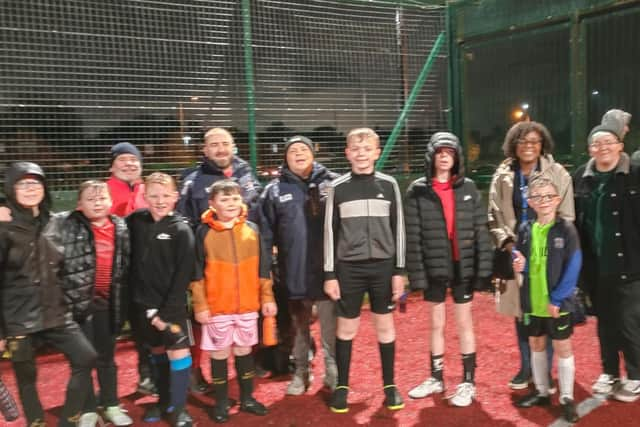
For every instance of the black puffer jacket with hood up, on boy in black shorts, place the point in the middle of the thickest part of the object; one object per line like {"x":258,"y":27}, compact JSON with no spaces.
{"x":429,"y":252}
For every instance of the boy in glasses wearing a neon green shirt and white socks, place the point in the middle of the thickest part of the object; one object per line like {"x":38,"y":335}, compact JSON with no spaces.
{"x":549,"y":258}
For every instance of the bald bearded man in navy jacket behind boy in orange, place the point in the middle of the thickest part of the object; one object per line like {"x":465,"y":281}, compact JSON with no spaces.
{"x":219,"y":162}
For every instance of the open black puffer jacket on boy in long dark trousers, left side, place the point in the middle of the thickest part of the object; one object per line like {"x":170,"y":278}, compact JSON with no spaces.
{"x":73,"y":233}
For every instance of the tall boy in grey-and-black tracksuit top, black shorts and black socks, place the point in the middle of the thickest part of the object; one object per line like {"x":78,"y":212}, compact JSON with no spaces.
{"x":364,"y":252}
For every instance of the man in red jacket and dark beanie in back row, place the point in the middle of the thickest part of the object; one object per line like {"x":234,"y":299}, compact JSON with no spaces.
{"x":125,"y":184}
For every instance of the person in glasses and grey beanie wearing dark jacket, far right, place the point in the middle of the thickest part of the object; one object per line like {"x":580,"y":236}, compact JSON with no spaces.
{"x":607,"y":217}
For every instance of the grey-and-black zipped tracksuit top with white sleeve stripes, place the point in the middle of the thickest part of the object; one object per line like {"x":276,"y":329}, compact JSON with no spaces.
{"x":363,"y":221}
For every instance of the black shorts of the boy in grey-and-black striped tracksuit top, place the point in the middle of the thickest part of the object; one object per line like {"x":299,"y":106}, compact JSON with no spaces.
{"x":356,"y":278}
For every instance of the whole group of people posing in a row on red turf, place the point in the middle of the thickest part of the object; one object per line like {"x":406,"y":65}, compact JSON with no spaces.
{"x":71,"y":279}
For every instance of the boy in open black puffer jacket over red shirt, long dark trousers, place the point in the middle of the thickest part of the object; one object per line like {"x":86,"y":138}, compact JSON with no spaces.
{"x":96,"y":265}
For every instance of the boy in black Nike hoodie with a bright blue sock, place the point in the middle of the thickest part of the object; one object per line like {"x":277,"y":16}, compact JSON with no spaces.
{"x":162,"y":264}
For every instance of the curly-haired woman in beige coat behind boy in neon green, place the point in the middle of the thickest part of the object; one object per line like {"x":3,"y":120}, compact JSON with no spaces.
{"x":527,"y":148}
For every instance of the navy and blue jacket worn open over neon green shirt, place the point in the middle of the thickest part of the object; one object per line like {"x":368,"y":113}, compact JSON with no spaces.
{"x":564,"y":260}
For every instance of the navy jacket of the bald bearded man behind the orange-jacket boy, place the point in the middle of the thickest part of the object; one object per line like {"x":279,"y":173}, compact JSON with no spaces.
{"x":194,"y":198}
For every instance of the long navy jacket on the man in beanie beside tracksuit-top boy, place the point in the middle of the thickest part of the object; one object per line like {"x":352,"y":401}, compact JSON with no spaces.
{"x":291,"y":213}
